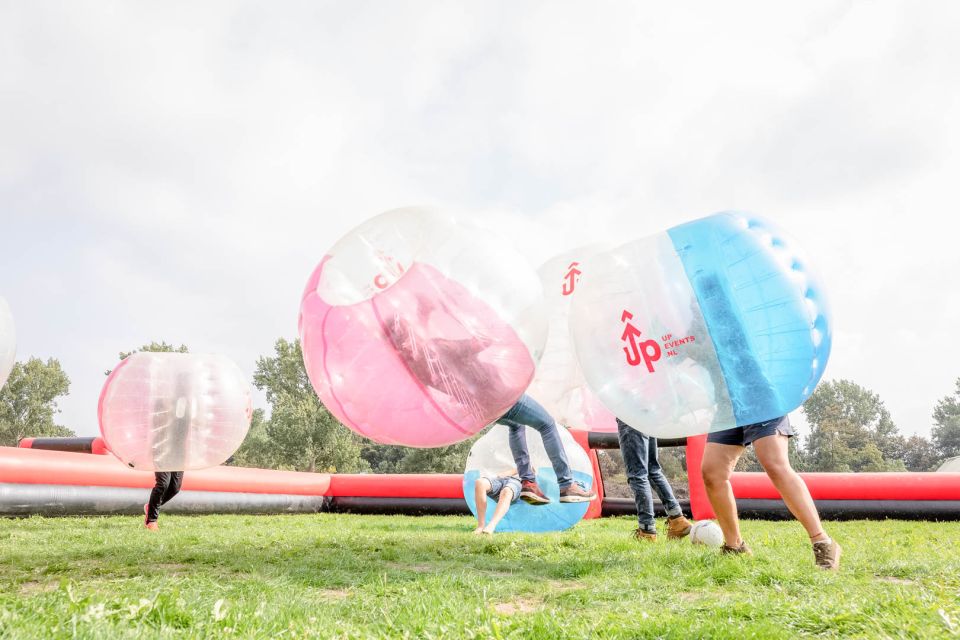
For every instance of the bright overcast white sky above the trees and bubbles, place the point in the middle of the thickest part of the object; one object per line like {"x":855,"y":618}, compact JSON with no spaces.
{"x":174,"y":171}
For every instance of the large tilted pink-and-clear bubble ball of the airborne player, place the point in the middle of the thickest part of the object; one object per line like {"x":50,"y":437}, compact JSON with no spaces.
{"x":419,"y":330}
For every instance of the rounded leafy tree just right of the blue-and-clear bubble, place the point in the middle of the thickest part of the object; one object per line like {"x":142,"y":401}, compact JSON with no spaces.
{"x":851,"y":430}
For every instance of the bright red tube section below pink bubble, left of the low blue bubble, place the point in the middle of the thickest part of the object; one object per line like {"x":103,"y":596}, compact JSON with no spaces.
{"x":427,"y":485}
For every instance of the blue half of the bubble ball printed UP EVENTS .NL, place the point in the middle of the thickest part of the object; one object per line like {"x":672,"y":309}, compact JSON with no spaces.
{"x":766,"y":312}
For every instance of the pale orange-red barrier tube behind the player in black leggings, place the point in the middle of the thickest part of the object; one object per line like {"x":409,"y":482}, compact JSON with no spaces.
{"x":35,"y":466}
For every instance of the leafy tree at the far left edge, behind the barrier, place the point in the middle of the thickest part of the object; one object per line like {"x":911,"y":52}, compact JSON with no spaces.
{"x":28,"y":402}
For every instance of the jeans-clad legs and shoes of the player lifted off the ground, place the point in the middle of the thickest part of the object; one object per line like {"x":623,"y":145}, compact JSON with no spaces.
{"x":527,"y":412}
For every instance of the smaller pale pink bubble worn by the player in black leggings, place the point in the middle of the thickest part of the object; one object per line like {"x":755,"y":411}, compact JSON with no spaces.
{"x":174,"y":411}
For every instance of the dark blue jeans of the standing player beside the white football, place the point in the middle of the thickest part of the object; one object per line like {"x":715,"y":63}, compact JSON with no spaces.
{"x":643,"y":469}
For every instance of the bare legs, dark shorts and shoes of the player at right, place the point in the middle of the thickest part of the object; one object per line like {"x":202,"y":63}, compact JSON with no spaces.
{"x":770,"y":441}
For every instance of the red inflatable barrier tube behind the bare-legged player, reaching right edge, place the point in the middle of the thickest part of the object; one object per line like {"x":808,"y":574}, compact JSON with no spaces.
{"x":856,"y":486}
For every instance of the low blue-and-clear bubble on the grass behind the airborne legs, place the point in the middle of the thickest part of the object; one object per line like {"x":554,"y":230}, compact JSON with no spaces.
{"x":490,"y":456}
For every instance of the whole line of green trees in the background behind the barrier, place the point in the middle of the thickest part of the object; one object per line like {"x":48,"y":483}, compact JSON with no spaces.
{"x":850,"y":428}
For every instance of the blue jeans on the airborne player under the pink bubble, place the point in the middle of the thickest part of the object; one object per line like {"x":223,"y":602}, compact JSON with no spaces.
{"x":527,"y":412}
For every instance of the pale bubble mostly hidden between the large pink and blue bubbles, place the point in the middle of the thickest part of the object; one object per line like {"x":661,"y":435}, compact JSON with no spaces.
{"x":559,"y":384}
